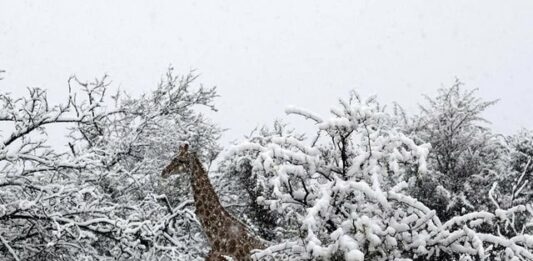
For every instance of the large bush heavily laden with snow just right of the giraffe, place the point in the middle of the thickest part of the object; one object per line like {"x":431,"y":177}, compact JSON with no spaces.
{"x":346,"y":189}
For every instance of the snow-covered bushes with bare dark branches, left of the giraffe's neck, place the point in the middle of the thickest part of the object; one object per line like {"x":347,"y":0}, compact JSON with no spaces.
{"x":101,"y":197}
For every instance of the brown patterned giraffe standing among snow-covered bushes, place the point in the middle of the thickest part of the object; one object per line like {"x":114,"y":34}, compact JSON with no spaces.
{"x":225,"y":234}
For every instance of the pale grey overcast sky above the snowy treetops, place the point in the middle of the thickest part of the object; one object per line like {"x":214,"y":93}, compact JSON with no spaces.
{"x":265,"y":55}
